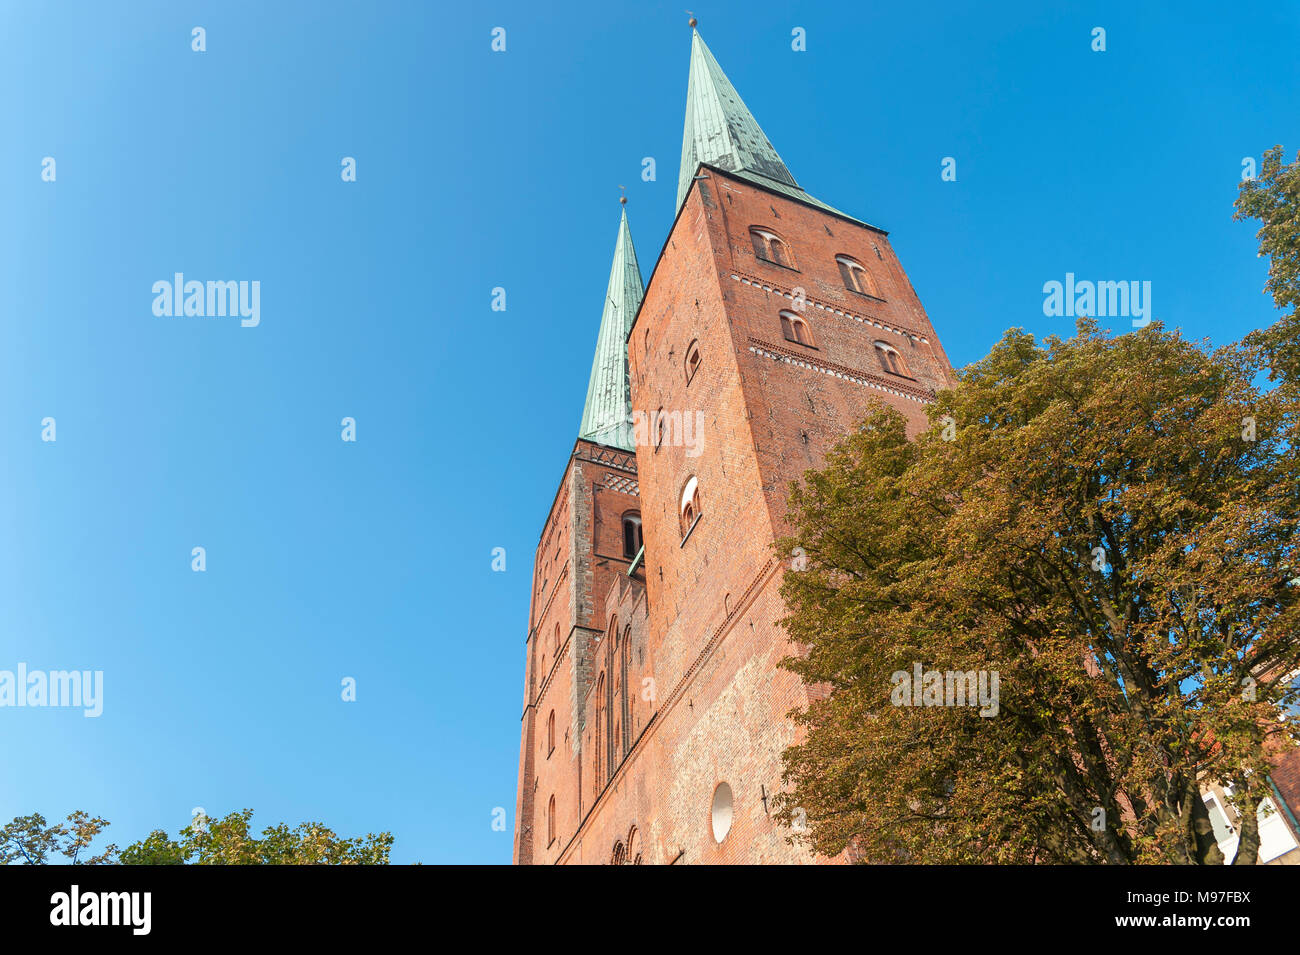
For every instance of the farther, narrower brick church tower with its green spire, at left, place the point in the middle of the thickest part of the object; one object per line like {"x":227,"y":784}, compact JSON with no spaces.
{"x":590,"y":544}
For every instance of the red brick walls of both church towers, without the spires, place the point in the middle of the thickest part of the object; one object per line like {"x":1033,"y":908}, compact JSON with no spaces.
{"x":668,"y":680}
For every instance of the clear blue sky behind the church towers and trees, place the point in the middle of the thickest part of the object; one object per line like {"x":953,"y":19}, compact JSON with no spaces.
{"x":475,"y":170}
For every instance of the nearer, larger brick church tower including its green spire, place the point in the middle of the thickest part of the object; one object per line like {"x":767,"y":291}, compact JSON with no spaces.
{"x":770,"y":324}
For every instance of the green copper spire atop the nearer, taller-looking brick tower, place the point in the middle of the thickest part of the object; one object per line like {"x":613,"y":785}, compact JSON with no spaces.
{"x":723,"y":133}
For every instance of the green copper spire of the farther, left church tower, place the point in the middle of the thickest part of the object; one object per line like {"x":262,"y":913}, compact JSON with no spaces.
{"x":608,"y":415}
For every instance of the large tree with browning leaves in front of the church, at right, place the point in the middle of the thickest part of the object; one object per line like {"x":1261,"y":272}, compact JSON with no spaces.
{"x":1106,"y":523}
